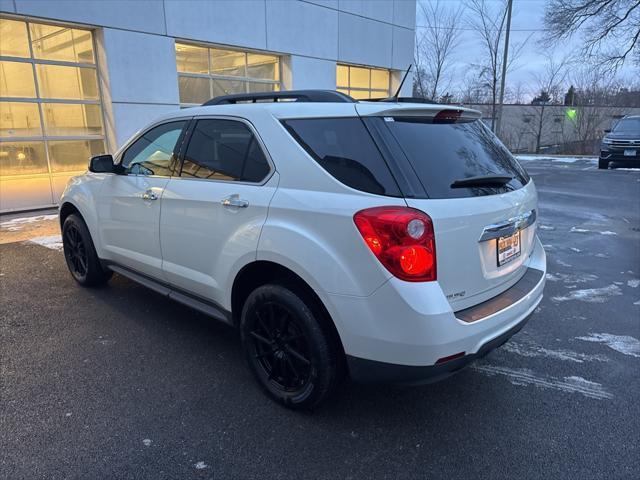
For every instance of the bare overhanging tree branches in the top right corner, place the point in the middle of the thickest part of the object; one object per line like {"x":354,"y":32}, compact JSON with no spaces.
{"x":610,"y":28}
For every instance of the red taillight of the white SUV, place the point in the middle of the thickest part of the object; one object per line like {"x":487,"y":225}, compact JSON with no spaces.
{"x":402,"y":239}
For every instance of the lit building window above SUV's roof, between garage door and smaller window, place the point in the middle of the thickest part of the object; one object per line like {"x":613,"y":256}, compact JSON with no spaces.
{"x":207,"y":72}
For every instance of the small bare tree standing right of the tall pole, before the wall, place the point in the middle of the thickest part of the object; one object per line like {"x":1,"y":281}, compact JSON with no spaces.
{"x":549,"y":83}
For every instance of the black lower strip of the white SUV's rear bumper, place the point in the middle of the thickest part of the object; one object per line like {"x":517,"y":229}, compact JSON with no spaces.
{"x":370,"y":371}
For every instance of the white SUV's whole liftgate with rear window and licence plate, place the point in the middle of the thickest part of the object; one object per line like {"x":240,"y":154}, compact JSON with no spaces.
{"x":484,"y":233}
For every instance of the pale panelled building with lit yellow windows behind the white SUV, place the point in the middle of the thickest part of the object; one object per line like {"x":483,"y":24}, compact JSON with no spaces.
{"x":79,"y":77}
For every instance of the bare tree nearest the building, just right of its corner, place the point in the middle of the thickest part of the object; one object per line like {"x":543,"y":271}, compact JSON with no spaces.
{"x":435,"y":46}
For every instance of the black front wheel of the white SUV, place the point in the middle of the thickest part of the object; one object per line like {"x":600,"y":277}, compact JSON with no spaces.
{"x":80,"y":254}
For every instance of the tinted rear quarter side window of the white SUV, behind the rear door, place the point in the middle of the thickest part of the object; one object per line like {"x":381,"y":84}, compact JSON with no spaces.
{"x":344,"y":148}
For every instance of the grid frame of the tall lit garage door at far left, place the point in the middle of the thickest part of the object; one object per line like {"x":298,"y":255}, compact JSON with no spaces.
{"x":40,"y":101}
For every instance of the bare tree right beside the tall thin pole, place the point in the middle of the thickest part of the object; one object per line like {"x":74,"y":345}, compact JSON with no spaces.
{"x":489,"y":25}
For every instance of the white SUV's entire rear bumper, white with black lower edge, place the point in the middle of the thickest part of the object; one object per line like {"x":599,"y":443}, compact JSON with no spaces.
{"x":412,"y":325}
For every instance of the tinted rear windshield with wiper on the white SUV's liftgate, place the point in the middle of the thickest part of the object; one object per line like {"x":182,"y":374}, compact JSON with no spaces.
{"x":442,"y":153}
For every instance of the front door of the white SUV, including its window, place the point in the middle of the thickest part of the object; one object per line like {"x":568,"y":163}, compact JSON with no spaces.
{"x":129,"y":203}
